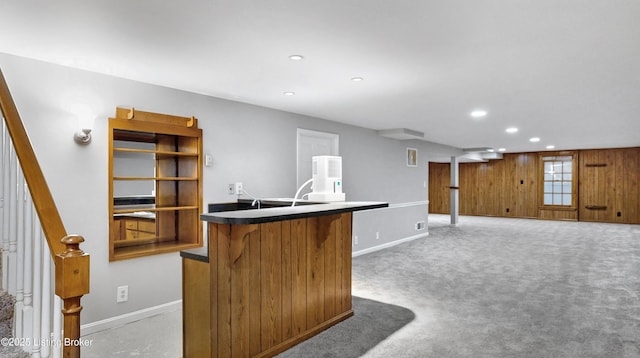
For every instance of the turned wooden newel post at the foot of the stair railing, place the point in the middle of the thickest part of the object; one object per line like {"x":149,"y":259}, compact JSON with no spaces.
{"x":72,"y":282}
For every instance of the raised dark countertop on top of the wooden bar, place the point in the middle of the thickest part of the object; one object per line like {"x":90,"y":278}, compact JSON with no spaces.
{"x":258,"y":216}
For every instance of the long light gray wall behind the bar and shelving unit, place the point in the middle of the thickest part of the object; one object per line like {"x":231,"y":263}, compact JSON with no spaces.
{"x":251,"y":144}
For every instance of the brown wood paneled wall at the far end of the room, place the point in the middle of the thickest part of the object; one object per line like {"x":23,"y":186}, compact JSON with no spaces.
{"x":510,"y":187}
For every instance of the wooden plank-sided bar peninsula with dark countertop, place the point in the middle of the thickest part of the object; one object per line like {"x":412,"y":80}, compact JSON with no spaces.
{"x":269,"y":279}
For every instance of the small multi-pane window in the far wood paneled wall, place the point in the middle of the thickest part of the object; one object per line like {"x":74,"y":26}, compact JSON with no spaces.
{"x":558,"y":180}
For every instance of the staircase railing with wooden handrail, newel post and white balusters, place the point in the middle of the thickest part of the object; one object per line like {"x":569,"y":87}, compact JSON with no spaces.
{"x":21,"y":238}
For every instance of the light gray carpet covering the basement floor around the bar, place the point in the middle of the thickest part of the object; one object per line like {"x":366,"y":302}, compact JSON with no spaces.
{"x":490,"y":287}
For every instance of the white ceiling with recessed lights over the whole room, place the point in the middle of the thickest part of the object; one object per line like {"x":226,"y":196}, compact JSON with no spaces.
{"x":567,"y":71}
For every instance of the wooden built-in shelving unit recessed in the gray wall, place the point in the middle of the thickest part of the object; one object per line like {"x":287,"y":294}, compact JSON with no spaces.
{"x":176,"y":178}
